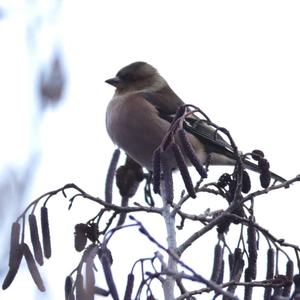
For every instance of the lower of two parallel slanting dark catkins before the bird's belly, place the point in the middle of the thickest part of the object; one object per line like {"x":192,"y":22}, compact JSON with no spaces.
{"x":183,"y":170}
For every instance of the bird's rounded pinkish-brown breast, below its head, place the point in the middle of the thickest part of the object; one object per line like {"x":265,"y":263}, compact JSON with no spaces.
{"x":134,"y":125}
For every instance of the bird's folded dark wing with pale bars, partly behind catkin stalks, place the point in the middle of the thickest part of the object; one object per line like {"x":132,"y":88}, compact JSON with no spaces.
{"x":167,"y":102}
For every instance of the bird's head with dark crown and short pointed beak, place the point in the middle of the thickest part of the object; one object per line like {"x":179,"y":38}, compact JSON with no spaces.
{"x":136,"y":77}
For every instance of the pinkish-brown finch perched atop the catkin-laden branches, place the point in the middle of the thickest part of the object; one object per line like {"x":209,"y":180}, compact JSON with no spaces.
{"x":139,"y":116}
